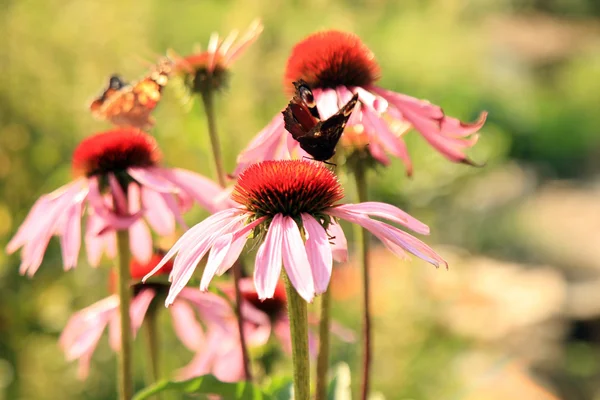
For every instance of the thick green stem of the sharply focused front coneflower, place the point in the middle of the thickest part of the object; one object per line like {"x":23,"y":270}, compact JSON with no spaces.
{"x":298,"y":315}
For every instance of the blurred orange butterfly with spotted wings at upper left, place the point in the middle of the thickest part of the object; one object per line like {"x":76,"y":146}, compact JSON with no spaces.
{"x":127,"y":104}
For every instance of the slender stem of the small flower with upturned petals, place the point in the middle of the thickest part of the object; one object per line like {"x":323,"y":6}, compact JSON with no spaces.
{"x":207,"y":99}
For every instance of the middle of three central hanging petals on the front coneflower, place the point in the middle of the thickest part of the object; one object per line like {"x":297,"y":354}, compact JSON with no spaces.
{"x":296,"y":261}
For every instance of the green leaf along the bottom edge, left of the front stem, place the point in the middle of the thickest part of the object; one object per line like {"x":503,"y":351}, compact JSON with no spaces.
{"x":206,"y":384}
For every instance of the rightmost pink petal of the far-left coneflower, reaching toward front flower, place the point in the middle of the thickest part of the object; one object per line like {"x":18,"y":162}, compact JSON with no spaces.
{"x":201,"y":189}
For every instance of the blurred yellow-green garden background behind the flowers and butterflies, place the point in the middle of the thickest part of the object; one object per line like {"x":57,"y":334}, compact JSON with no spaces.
{"x":517,"y":316}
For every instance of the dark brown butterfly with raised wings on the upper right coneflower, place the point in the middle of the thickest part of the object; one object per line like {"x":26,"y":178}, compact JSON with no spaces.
{"x":317,"y":137}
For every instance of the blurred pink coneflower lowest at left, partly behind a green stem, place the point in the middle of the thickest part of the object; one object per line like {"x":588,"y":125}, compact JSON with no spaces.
{"x":84,"y":329}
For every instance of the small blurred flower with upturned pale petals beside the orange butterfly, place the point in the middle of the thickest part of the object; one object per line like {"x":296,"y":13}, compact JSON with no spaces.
{"x":208,"y":70}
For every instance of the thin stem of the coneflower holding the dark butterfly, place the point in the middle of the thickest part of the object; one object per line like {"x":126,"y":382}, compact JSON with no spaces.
{"x":362,"y":238}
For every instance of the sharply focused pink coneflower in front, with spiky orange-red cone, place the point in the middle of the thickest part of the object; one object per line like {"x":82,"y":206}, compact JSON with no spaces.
{"x":290,"y":206}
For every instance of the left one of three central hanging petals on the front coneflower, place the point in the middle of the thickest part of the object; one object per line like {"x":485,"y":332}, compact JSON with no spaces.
{"x":267,"y":267}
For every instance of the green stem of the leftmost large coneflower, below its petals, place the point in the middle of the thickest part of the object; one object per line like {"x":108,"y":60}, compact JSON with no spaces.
{"x":125,"y":358}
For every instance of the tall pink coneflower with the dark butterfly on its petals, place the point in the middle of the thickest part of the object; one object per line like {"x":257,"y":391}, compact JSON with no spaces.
{"x":337,"y":65}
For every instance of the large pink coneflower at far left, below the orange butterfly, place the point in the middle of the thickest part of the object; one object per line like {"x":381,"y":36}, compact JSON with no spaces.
{"x":118,"y":181}
